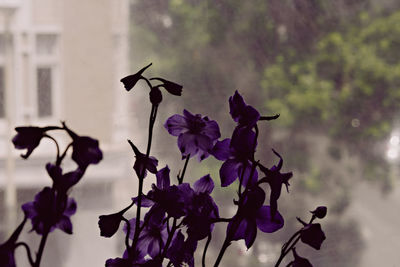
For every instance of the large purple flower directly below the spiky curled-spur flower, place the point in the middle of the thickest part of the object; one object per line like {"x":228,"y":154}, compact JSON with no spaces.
{"x":252,"y":215}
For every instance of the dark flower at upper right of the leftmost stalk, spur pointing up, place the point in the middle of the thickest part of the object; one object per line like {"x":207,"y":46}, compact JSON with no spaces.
{"x":85,"y":149}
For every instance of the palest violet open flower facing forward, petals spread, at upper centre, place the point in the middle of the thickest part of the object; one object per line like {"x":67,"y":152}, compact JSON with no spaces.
{"x":196,"y":134}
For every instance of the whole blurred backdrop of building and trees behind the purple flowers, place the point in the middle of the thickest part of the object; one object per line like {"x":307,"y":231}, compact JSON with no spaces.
{"x":331,"y":69}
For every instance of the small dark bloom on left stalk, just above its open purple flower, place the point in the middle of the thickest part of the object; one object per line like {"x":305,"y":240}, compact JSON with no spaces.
{"x":62,"y":182}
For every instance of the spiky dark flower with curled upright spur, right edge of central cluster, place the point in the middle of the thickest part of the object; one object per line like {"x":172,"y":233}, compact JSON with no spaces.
{"x":276,"y":179}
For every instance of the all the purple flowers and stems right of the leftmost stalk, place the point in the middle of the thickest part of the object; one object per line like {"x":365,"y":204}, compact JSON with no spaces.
{"x":181,"y":215}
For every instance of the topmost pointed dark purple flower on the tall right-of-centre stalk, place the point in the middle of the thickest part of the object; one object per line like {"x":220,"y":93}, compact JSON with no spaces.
{"x":244,"y":115}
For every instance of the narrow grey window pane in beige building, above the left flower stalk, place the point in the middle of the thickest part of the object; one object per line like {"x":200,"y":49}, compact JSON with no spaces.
{"x":44,"y":91}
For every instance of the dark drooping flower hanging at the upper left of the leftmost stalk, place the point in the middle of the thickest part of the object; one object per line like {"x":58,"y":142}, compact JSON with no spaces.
{"x":29,"y":138}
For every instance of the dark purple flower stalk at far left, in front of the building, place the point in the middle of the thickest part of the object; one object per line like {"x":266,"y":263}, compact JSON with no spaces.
{"x":52,"y":207}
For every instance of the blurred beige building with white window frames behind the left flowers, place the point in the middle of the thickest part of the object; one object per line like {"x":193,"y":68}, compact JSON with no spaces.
{"x":62,"y":60}
